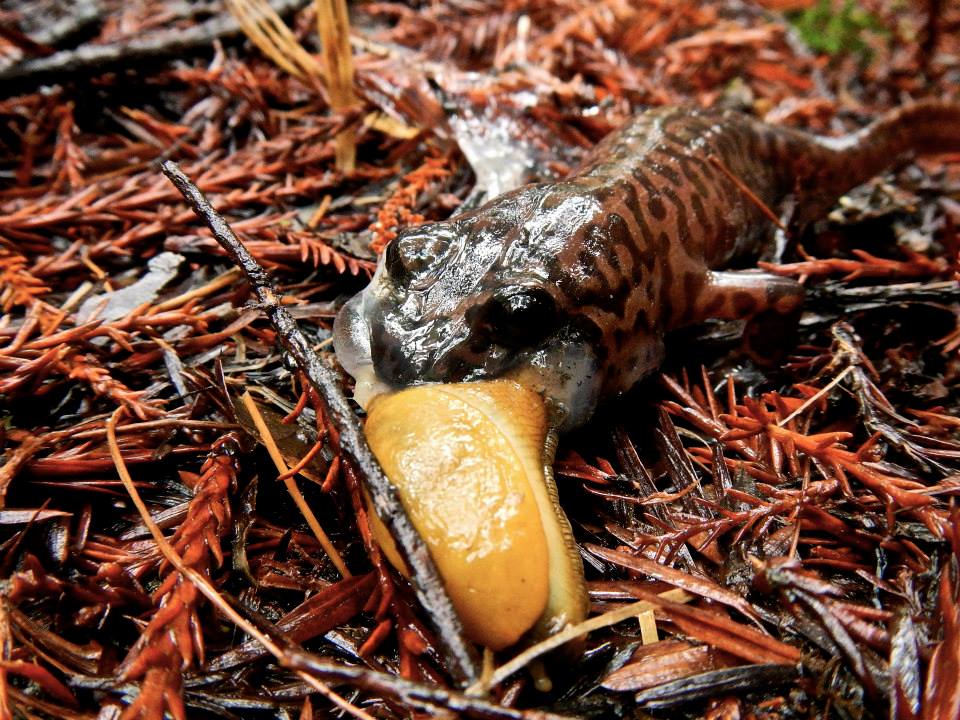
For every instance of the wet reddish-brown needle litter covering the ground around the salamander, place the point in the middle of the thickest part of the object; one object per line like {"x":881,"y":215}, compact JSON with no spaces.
{"x":773,"y":542}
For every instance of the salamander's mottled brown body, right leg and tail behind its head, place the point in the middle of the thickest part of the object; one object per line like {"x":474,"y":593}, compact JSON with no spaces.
{"x":686,"y":218}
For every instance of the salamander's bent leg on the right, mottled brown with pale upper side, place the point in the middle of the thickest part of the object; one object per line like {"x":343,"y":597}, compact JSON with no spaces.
{"x":771,"y":304}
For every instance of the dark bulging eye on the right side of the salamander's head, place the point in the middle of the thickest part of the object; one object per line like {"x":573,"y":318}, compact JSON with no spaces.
{"x":521,"y":318}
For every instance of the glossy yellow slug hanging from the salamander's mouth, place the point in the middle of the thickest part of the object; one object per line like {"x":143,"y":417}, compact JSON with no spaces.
{"x":468,"y":462}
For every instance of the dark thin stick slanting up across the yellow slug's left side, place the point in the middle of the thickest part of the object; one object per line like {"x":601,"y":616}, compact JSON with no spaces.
{"x":460,"y":656}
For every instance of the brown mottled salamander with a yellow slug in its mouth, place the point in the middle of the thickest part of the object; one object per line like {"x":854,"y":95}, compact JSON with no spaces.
{"x":570,"y":286}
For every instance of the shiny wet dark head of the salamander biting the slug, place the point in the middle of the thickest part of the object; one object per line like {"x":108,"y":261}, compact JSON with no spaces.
{"x":480,"y":296}
